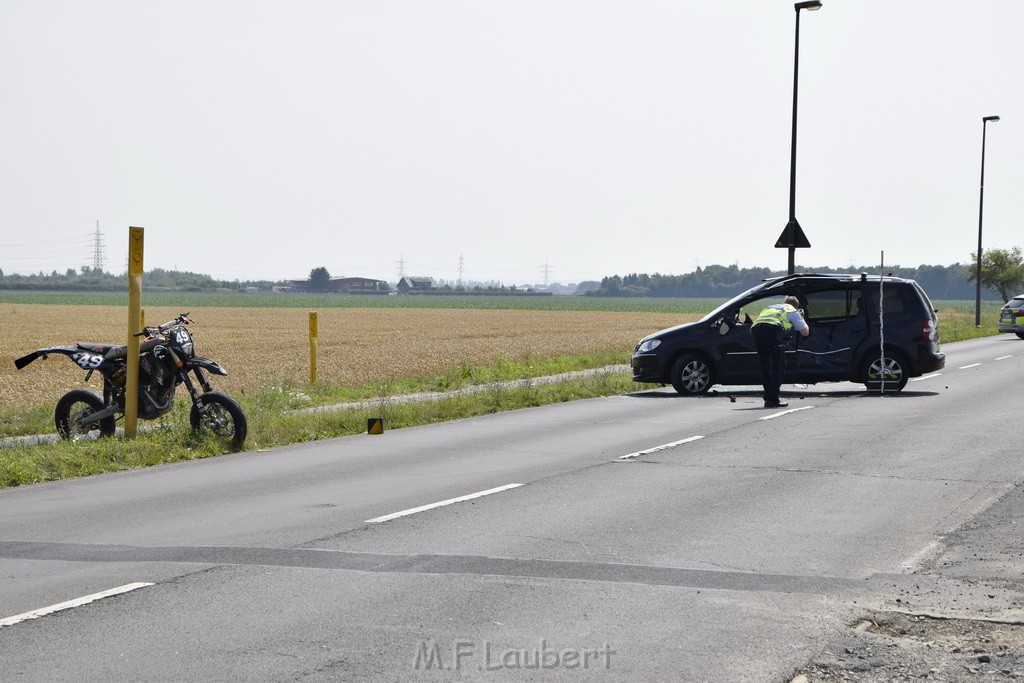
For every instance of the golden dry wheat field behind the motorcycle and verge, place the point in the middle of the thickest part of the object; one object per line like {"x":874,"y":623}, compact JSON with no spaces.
{"x":264,"y":349}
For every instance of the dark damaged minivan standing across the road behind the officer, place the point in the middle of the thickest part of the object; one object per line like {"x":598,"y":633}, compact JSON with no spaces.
{"x":867,"y":329}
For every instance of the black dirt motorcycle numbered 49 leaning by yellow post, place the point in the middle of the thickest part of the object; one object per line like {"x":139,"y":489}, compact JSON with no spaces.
{"x":167,"y":357}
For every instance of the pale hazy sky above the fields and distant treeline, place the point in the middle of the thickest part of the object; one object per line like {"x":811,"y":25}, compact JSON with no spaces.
{"x":522,"y":142}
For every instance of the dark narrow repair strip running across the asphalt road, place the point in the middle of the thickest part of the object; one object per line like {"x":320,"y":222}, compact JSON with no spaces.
{"x":430,"y":565}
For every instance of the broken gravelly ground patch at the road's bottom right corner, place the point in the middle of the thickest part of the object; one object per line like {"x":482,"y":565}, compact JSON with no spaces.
{"x":898,"y":647}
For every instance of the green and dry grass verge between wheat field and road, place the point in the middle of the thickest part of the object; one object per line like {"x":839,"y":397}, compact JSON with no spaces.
{"x":273,"y":421}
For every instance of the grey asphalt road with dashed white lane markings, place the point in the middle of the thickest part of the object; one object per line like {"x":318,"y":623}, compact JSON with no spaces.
{"x":646,"y":537}
